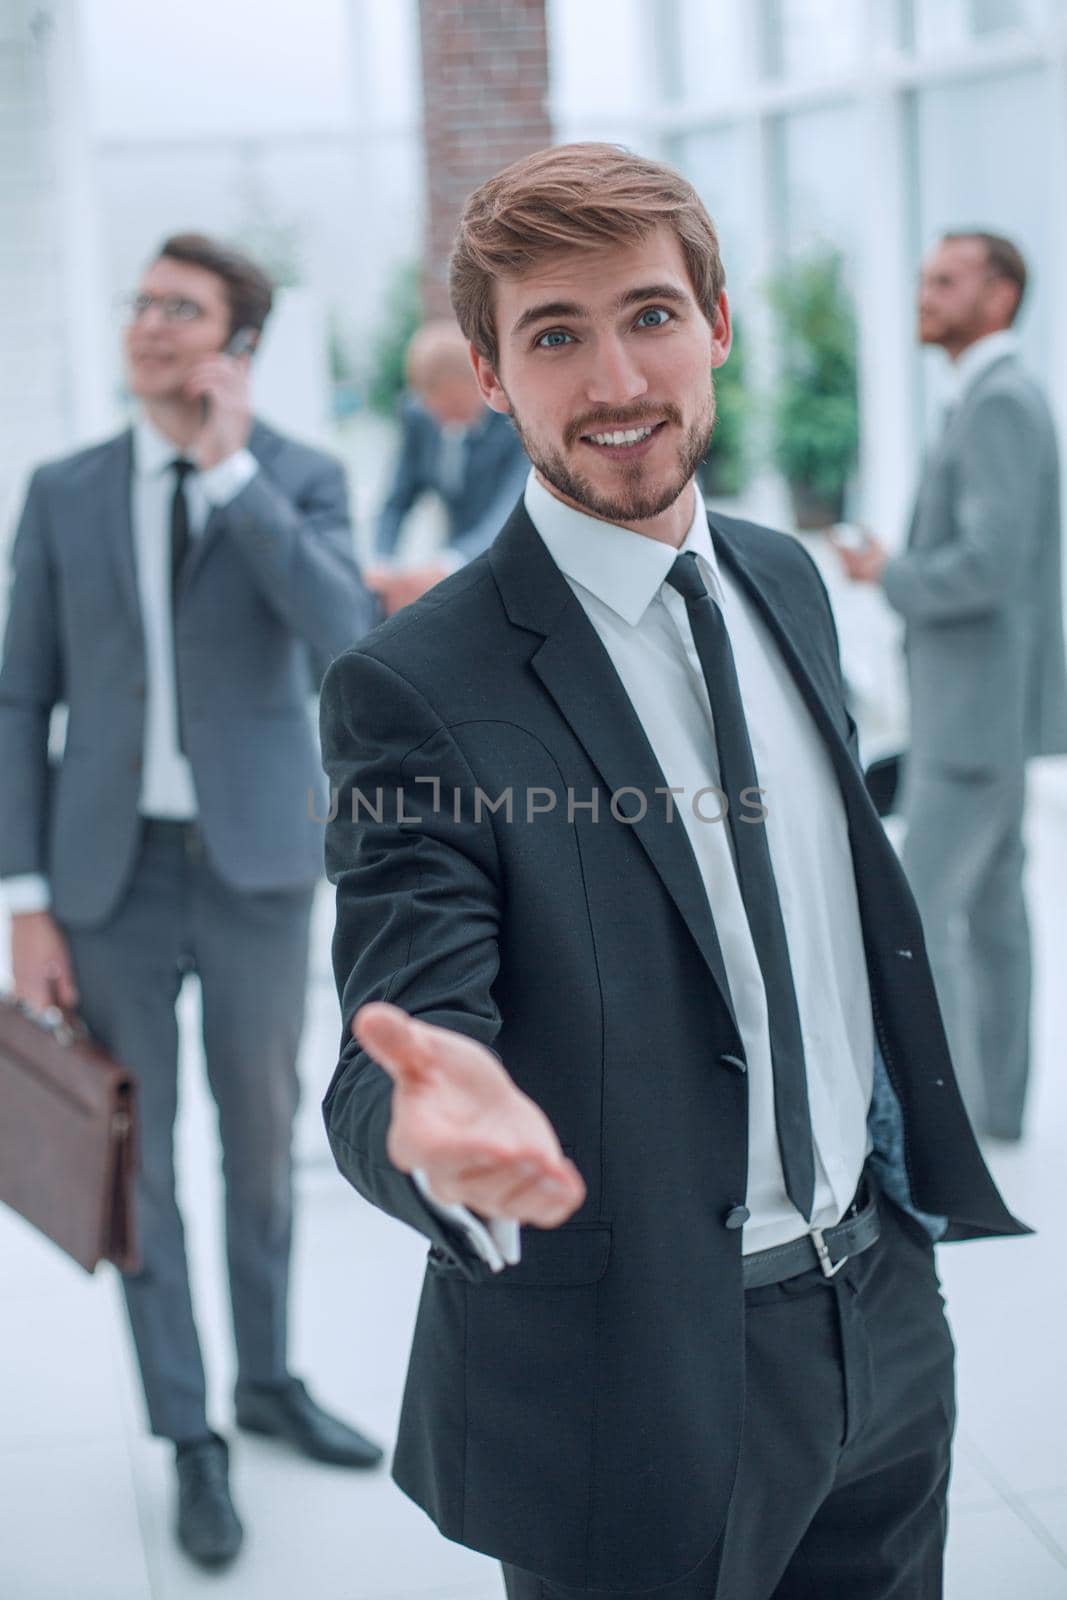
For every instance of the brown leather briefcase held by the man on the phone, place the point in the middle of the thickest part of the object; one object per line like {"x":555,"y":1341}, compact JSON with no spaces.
{"x":68,"y":1137}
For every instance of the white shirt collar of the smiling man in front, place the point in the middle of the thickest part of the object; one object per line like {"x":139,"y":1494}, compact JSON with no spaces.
{"x":623,"y":569}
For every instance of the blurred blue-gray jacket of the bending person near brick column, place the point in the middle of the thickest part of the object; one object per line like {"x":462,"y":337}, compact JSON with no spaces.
{"x":479,"y":503}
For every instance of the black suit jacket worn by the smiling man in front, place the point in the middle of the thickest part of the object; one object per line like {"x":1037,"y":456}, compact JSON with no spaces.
{"x":580,"y":1415}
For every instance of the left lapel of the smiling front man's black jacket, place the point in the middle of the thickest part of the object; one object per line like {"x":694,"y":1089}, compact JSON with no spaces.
{"x":578,"y":674}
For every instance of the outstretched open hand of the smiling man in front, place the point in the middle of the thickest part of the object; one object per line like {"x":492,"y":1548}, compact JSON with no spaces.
{"x":458,"y":1118}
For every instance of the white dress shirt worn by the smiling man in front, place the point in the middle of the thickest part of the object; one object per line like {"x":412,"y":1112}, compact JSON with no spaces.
{"x":620,"y":582}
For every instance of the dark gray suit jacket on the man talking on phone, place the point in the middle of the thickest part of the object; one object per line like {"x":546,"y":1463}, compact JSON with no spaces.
{"x":270,"y":596}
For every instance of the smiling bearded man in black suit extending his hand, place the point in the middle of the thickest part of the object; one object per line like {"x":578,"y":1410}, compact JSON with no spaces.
{"x":657,"y":983}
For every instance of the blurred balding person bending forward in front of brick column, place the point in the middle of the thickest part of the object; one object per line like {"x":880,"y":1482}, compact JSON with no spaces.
{"x":455,"y":447}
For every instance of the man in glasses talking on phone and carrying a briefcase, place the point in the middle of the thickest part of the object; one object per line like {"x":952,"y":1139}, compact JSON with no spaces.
{"x":182,"y":590}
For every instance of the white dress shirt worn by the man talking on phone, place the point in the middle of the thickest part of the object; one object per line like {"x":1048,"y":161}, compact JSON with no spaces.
{"x":167,"y":783}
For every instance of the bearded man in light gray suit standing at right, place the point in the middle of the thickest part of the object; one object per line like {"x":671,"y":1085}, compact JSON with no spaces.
{"x":980,"y":591}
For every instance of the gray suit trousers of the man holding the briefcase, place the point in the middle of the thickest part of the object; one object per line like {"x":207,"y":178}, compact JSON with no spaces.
{"x":250,"y":953}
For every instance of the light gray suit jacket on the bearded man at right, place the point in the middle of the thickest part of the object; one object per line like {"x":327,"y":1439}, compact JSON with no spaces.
{"x":980,"y":585}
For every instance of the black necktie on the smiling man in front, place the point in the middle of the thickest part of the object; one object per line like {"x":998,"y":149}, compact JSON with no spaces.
{"x":756,"y":876}
